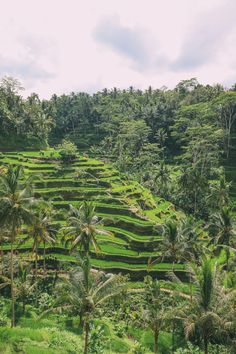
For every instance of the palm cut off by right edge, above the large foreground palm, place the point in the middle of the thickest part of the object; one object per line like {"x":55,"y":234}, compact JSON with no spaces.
{"x":225,"y":231}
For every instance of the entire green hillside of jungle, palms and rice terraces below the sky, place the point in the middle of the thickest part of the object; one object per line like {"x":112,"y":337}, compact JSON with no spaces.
{"x":117,"y":217}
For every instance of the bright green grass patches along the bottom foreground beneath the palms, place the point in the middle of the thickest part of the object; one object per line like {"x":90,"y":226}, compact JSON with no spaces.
{"x":56,"y":335}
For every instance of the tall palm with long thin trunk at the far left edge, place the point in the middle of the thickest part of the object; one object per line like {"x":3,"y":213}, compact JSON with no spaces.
{"x":16,"y":199}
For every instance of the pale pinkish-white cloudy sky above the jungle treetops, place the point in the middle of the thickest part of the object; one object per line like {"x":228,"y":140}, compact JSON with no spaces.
{"x":59,"y":46}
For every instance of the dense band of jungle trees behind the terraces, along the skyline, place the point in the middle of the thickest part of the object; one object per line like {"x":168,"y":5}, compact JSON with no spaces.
{"x":118,"y":115}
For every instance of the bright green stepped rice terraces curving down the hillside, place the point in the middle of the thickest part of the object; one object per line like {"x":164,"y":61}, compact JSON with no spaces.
{"x":134,"y":215}
